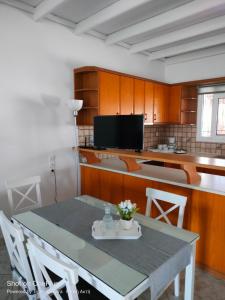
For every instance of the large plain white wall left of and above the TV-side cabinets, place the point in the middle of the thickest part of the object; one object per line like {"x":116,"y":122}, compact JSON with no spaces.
{"x":36,"y":63}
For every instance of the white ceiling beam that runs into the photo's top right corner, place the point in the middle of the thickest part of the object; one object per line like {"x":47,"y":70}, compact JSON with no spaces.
{"x":174,"y":15}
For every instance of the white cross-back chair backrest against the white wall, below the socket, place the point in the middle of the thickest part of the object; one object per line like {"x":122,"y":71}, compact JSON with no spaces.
{"x":29,"y":184}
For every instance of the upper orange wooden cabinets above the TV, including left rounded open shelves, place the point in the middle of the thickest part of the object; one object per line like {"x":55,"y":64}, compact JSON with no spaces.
{"x":110,"y":93}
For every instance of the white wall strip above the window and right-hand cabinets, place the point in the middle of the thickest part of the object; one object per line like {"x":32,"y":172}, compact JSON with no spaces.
{"x":209,"y":67}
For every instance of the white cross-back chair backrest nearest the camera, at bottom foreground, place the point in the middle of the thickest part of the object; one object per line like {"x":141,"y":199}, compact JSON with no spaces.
{"x":42,"y":262}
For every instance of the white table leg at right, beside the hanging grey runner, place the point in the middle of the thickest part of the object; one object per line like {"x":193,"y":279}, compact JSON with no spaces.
{"x":190,"y":276}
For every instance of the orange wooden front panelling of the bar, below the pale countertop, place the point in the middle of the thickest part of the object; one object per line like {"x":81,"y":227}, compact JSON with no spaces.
{"x":204,"y":213}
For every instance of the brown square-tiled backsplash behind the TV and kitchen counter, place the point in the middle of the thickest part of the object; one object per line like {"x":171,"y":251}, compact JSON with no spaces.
{"x":158,"y":134}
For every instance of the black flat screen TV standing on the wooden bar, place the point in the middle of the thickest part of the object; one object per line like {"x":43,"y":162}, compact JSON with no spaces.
{"x":122,"y":131}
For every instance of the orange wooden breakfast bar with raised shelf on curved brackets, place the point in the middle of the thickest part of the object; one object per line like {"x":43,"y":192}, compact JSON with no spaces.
{"x":123,"y":175}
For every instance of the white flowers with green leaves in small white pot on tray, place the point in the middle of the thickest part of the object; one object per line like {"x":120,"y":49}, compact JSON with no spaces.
{"x":126,"y":210}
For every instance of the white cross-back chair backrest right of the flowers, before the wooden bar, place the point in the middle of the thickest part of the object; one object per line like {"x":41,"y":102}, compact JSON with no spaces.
{"x":179,"y":203}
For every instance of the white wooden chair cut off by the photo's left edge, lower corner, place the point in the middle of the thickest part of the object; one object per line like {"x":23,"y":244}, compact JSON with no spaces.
{"x":21,"y":271}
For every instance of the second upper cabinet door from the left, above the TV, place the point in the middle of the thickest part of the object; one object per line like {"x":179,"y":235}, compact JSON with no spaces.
{"x":126,"y":95}
